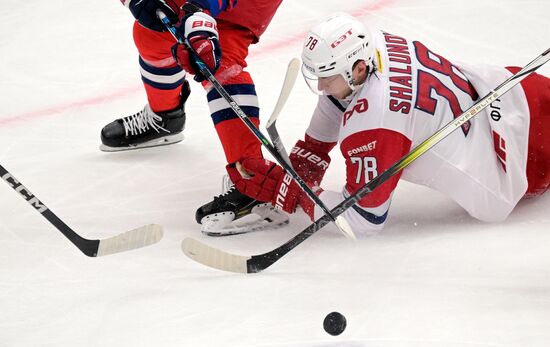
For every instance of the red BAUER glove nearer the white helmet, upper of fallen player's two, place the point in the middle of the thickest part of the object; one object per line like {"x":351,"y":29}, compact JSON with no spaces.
{"x":310,"y":159}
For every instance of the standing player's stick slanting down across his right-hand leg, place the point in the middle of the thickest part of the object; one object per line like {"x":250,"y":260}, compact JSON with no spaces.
{"x":340,"y":223}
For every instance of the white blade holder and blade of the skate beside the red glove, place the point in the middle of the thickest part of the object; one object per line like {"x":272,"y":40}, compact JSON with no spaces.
{"x":263,"y":217}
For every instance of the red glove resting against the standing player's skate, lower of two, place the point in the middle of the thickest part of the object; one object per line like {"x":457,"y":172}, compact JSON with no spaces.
{"x":266,"y":181}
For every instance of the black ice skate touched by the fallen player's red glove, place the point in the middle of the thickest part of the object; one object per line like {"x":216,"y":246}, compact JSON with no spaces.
{"x":234,"y":213}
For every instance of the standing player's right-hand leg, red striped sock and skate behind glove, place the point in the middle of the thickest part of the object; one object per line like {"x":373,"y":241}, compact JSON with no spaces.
{"x":236,"y":139}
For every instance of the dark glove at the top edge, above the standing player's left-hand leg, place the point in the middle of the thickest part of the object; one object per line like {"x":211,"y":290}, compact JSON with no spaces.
{"x":145,"y":11}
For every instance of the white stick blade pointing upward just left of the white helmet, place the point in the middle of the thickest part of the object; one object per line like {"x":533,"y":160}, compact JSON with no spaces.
{"x":290,"y":79}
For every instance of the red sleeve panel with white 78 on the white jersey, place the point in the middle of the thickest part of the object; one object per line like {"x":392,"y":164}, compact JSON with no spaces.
{"x":368,"y":153}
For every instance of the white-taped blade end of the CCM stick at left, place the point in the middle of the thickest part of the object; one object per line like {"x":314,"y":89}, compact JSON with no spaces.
{"x":136,"y":238}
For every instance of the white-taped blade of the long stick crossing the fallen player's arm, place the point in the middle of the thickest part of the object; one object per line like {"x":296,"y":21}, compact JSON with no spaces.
{"x":214,"y":257}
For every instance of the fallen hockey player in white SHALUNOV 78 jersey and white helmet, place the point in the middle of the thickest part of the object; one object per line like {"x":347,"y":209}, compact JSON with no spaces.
{"x":381,"y":95}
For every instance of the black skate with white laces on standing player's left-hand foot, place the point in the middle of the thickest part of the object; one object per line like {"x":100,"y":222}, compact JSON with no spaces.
{"x":146,"y":128}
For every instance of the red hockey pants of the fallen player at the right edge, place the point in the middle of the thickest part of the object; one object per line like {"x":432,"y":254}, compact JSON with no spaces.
{"x":537,"y":91}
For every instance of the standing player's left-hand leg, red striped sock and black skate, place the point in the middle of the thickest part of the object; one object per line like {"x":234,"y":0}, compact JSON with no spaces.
{"x":162,"y":120}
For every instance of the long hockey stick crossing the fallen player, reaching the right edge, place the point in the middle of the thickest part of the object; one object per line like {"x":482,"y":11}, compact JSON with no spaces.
{"x":222,"y":260}
